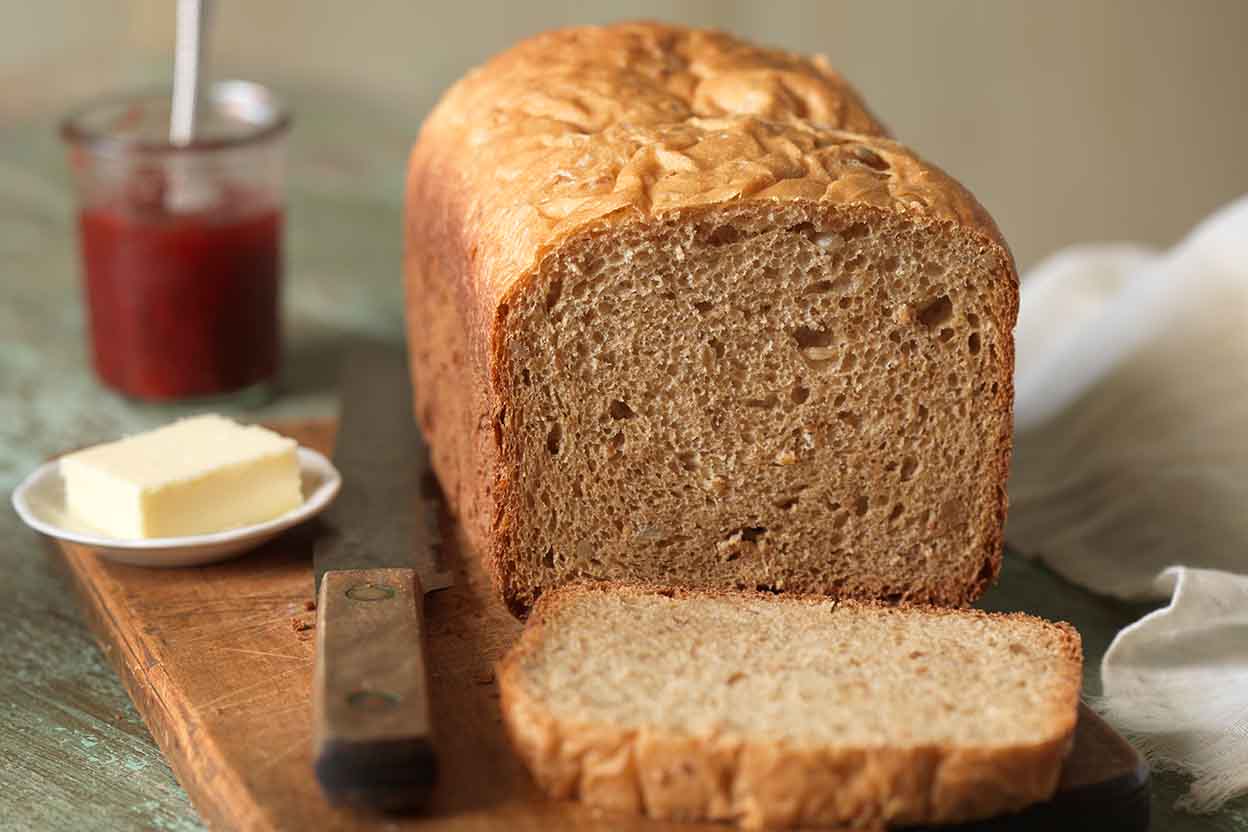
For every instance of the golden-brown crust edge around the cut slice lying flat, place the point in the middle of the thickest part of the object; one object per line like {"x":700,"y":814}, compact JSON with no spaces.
{"x":778,"y":784}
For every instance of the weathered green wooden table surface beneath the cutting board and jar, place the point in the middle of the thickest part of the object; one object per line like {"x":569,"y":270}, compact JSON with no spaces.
{"x":74,"y":755}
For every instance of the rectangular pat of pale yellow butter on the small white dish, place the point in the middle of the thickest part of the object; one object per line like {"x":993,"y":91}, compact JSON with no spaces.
{"x":194,"y":477}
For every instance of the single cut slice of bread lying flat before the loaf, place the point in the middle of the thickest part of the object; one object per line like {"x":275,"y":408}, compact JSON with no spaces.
{"x":777,"y":712}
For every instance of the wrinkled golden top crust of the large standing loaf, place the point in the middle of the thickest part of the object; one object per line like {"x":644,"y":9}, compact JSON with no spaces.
{"x":592,"y":125}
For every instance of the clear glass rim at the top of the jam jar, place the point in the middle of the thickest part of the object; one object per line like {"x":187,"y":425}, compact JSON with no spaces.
{"x":253,"y":107}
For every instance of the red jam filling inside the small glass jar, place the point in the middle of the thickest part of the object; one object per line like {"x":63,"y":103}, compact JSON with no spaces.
{"x":183,"y":305}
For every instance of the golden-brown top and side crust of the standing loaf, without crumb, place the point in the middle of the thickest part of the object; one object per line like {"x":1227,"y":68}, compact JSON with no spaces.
{"x":586,"y":129}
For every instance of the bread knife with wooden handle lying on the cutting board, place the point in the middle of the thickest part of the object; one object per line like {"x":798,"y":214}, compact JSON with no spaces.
{"x":379,"y":553}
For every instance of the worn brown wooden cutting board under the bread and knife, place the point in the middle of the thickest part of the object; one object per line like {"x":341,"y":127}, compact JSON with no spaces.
{"x":219,"y":662}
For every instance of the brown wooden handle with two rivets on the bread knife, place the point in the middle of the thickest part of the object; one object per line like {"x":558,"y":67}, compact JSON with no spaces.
{"x":371,"y":694}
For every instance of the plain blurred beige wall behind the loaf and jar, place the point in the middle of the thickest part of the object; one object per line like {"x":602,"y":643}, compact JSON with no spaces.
{"x":1073,"y":120}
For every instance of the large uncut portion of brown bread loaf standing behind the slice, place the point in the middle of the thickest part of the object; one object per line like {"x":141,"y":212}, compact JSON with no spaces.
{"x":680,"y":312}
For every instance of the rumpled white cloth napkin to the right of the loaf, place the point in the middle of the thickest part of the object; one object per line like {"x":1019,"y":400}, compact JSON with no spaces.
{"x":1130,"y":477}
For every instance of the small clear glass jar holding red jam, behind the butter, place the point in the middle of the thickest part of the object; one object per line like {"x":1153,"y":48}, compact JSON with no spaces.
{"x":182,"y":245}
